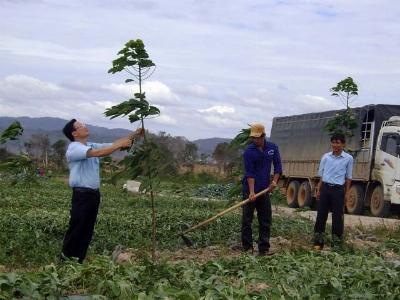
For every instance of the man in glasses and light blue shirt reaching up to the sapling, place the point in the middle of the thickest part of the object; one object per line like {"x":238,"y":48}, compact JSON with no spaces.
{"x":84,"y":165}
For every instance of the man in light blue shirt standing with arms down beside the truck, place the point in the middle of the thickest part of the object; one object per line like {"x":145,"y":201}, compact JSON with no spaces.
{"x":335,"y":171}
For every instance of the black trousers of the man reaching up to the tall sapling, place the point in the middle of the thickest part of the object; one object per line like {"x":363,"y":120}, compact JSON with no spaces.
{"x":84,"y":208}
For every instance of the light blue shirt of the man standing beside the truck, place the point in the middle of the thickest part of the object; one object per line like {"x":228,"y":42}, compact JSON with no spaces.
{"x":336,"y":169}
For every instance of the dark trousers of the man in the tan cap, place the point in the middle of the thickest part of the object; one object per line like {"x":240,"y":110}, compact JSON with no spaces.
{"x":264,"y":215}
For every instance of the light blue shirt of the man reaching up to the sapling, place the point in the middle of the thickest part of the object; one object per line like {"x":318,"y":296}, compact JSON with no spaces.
{"x":83,"y":170}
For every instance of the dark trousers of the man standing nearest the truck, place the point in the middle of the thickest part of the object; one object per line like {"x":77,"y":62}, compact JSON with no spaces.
{"x":331,"y":198}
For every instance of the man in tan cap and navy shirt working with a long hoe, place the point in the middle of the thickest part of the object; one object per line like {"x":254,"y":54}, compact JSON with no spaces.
{"x":258,"y":158}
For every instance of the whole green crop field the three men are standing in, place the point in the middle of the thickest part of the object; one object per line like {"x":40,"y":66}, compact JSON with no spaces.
{"x":33,"y":221}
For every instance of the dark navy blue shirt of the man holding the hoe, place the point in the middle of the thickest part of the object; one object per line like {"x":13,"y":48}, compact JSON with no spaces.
{"x":257,"y":164}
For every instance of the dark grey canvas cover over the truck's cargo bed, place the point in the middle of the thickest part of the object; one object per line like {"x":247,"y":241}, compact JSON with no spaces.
{"x":302,"y":138}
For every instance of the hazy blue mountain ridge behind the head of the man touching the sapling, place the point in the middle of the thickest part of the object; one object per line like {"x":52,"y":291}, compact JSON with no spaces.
{"x":53,"y":128}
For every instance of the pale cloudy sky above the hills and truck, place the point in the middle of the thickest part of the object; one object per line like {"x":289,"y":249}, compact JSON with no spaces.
{"x":220,"y":65}
